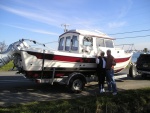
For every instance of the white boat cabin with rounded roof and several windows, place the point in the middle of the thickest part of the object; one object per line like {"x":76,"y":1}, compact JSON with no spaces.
{"x":81,"y":41}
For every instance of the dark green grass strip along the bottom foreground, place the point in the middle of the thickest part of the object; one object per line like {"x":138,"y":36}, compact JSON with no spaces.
{"x":131,"y":101}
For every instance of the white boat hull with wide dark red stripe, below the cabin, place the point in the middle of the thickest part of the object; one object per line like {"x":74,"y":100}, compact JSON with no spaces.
{"x":35,"y":63}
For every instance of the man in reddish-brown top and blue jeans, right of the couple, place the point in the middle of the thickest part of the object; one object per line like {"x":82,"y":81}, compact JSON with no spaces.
{"x":110,"y":63}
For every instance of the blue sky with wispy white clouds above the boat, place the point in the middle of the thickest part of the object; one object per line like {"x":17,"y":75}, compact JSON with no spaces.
{"x":41,"y":20}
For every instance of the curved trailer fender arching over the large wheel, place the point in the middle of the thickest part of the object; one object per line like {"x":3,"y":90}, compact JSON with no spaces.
{"x":76,"y":75}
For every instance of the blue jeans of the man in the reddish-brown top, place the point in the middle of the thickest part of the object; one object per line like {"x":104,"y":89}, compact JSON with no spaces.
{"x":111,"y":80}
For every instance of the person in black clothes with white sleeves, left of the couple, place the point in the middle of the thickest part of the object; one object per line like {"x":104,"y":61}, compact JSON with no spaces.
{"x":101,"y":71}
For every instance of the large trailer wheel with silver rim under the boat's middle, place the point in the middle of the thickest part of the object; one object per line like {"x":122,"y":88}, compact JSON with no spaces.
{"x":76,"y":85}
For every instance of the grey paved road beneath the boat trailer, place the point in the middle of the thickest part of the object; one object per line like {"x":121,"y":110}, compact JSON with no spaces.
{"x":16,"y":89}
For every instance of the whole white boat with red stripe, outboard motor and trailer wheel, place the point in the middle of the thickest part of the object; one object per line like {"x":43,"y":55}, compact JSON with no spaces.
{"x":72,"y":64}
